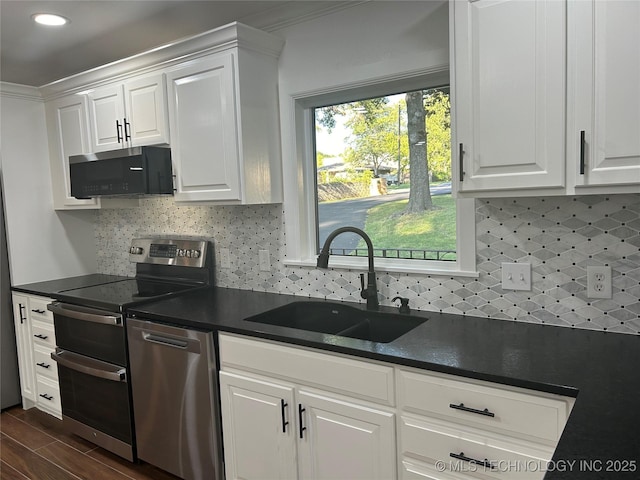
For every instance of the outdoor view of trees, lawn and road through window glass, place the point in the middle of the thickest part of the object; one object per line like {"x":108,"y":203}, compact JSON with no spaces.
{"x":384,"y":165}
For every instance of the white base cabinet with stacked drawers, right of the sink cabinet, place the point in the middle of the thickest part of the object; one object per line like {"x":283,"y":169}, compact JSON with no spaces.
{"x":460,"y":428}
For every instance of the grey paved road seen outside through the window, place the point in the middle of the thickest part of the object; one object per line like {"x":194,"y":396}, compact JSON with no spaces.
{"x":353,"y":213}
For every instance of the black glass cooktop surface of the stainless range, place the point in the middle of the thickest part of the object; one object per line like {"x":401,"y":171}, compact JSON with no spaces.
{"x":117,"y":295}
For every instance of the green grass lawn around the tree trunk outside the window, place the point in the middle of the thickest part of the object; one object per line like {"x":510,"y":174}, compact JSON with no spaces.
{"x":435,"y":229}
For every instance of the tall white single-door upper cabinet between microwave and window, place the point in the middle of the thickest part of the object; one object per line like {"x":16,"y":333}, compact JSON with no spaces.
{"x":223,"y":113}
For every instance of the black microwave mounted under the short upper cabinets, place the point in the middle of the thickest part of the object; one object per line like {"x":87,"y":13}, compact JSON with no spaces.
{"x":128,"y":171}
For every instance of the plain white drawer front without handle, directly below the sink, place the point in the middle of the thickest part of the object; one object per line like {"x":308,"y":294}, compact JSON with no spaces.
{"x":369,"y":381}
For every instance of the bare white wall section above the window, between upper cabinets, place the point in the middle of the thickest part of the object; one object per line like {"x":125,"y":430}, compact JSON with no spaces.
{"x":363,"y":43}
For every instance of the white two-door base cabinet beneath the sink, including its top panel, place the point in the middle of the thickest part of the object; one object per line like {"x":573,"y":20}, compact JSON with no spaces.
{"x":280,"y":428}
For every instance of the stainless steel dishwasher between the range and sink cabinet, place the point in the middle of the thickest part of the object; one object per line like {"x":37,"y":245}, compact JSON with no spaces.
{"x":175,"y":400}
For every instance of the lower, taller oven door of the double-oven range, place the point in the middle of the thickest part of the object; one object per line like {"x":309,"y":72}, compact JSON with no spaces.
{"x":95,"y":401}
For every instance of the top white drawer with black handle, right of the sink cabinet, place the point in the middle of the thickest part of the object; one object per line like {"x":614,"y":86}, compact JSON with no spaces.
{"x":484,"y":405}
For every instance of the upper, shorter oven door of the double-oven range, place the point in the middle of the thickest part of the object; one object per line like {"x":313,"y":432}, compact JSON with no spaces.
{"x":88,"y":331}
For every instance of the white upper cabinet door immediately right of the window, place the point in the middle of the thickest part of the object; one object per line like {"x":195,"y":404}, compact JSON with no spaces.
{"x":509,"y":84}
